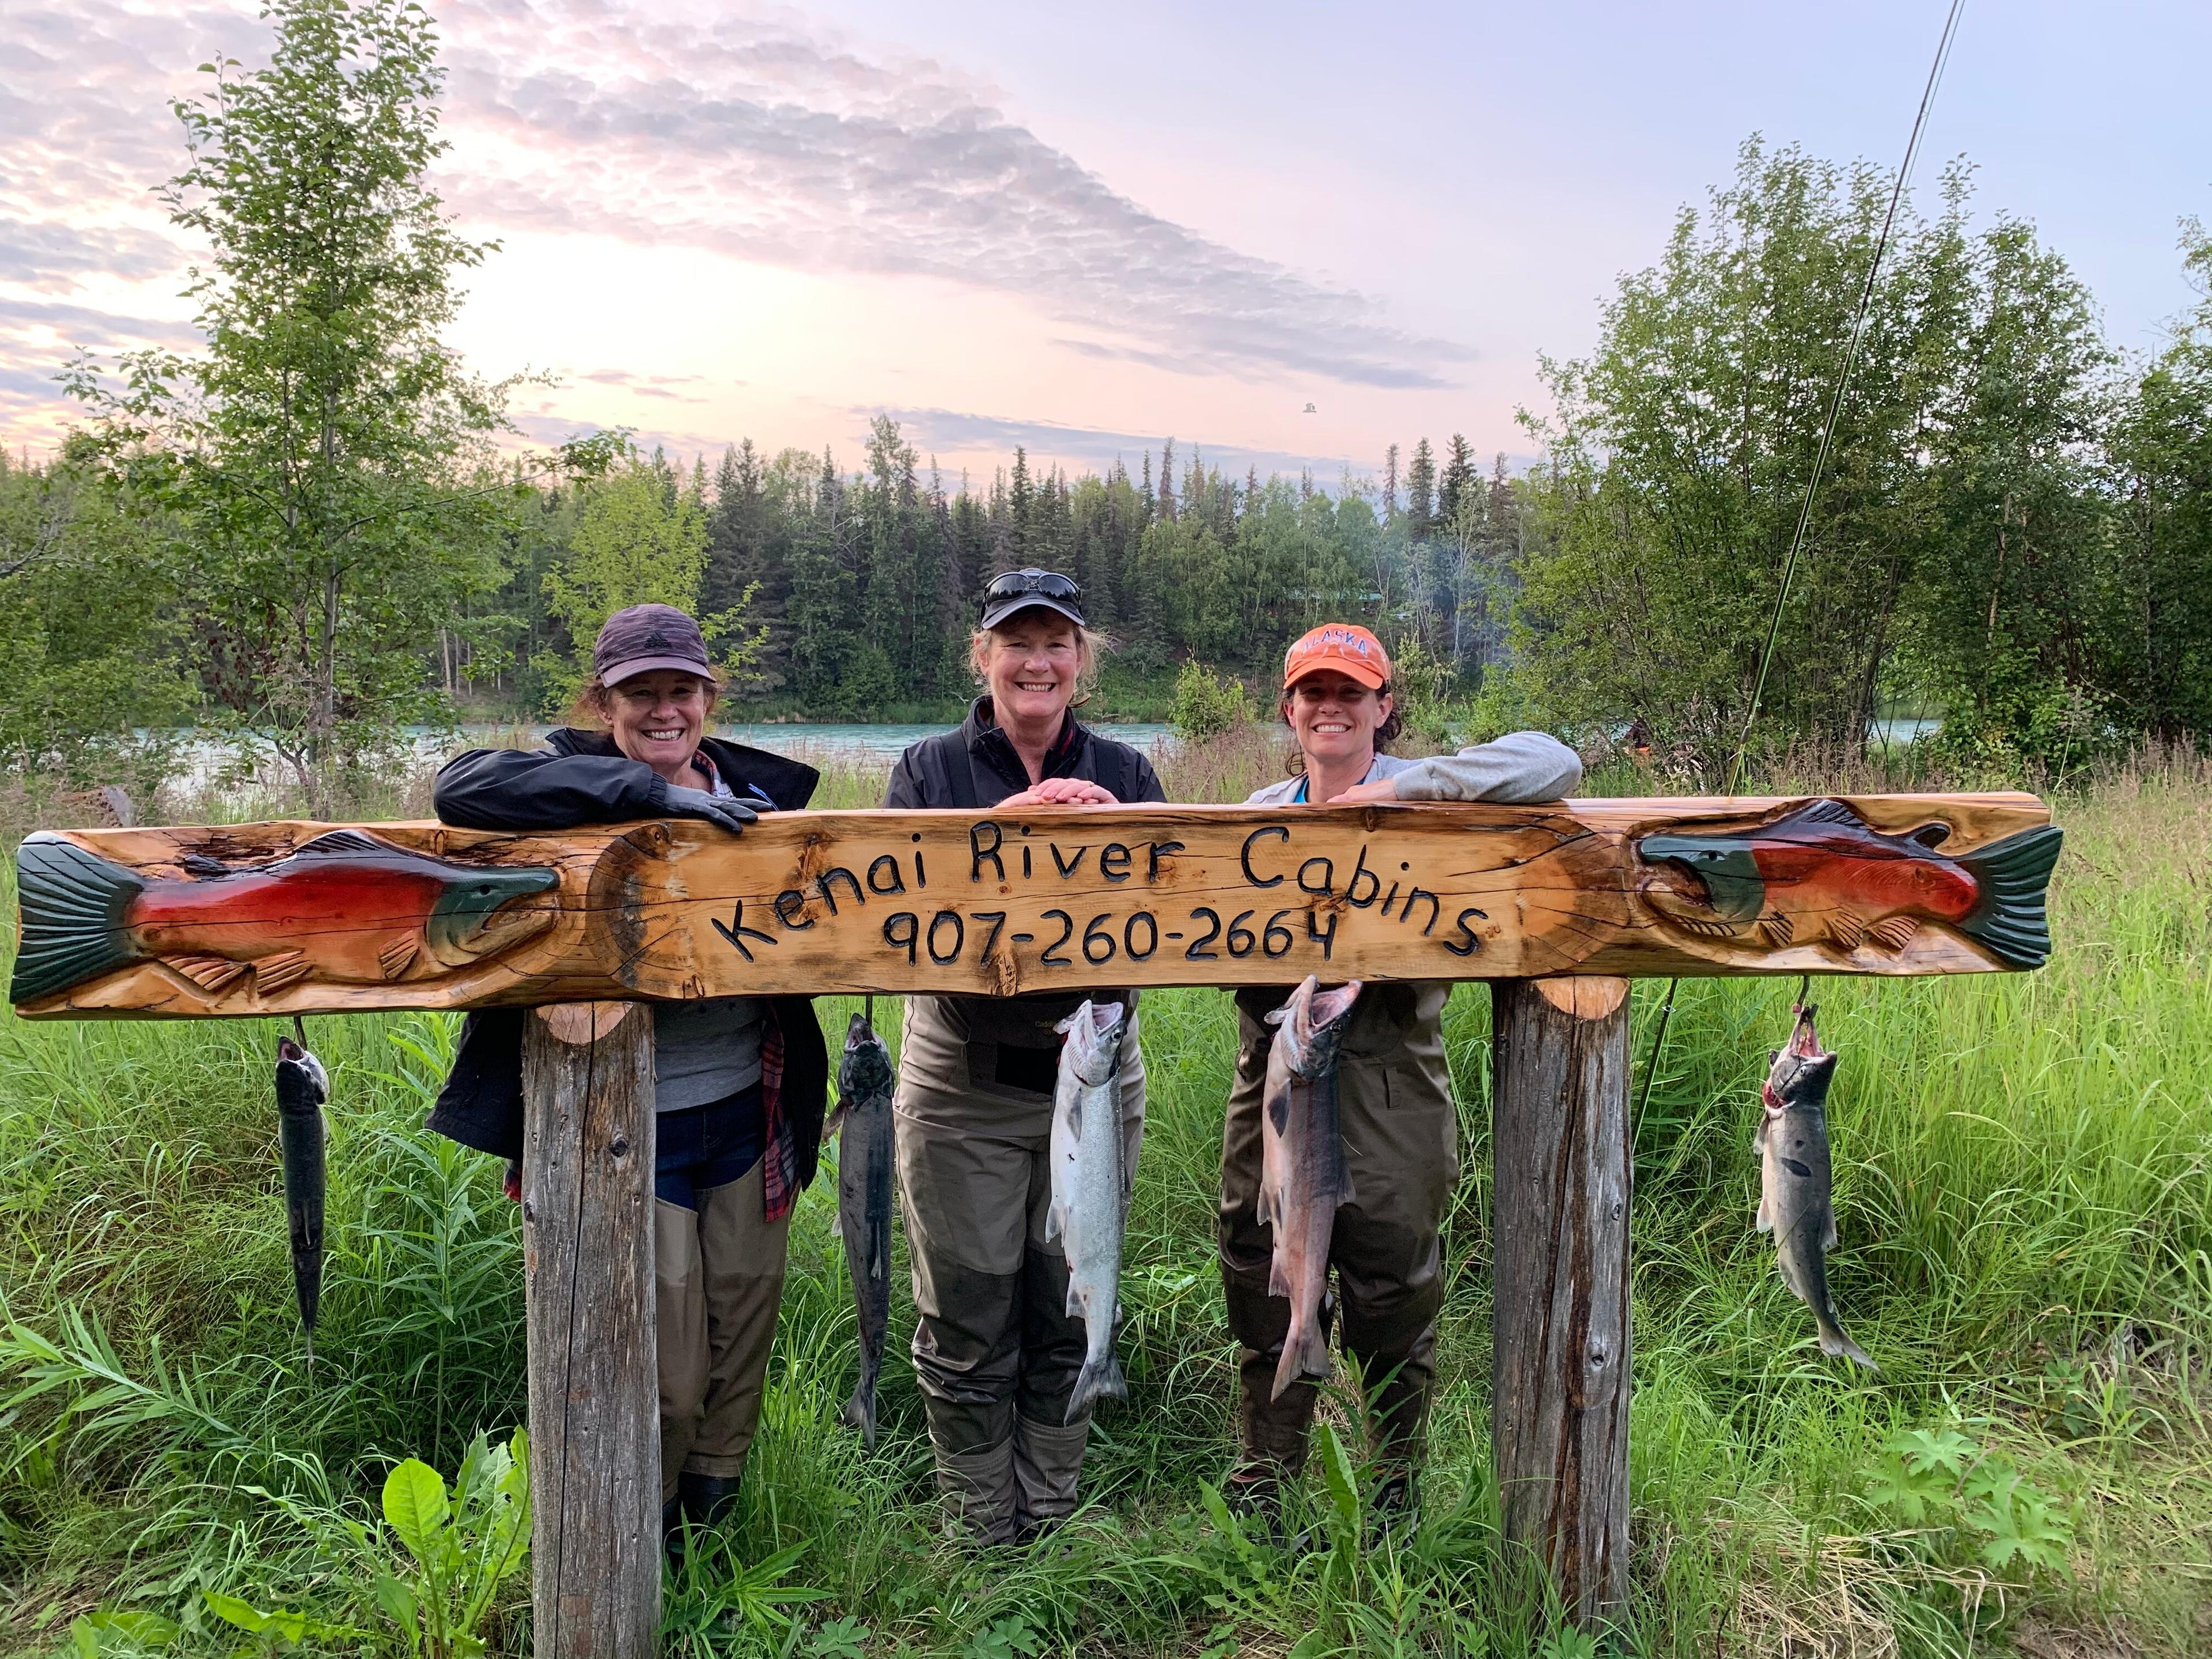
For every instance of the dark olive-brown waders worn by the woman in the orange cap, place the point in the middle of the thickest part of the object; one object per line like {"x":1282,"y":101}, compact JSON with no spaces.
{"x":1401,"y":1145}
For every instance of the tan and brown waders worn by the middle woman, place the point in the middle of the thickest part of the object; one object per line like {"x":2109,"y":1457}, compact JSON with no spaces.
{"x":997,"y":1350}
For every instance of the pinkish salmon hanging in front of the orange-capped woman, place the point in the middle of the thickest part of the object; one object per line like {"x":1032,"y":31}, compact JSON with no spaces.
{"x":1304,"y":1176}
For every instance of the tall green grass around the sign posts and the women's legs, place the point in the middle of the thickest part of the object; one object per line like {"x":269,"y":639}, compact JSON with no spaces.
{"x":2025,"y":1187}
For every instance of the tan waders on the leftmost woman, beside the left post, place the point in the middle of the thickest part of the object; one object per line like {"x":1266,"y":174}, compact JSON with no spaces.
{"x":718,"y":1275}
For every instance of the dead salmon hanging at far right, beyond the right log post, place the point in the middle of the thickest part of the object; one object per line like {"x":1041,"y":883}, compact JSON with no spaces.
{"x":1795,"y":1200}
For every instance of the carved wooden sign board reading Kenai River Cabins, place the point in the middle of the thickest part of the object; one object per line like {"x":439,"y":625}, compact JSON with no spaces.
{"x":302,"y":917}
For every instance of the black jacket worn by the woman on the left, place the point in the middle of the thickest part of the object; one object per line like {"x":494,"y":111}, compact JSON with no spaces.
{"x":576,"y":780}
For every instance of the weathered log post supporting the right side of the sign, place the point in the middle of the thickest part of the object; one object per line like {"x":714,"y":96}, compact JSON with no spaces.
{"x":1561,"y":1328}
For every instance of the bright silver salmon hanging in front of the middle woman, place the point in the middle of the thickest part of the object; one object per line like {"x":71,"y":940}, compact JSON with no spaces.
{"x":1092,"y":1189}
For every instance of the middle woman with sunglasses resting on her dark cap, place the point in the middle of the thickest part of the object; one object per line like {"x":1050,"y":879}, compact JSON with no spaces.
{"x":994,"y":1348}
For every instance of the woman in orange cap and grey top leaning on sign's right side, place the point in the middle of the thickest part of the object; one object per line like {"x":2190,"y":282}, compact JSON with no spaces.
{"x":1395,"y":1094}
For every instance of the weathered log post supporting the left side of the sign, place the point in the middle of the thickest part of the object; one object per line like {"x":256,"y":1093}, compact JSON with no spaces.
{"x":596,"y":1432}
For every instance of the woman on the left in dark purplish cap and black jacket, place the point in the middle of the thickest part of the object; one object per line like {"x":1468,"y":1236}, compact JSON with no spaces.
{"x":738,"y":1081}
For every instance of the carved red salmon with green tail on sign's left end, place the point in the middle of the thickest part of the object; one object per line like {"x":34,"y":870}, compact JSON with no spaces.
{"x":373,"y":912}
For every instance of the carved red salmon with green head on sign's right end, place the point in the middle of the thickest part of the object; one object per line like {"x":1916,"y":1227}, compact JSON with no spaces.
{"x":1826,"y":875}
